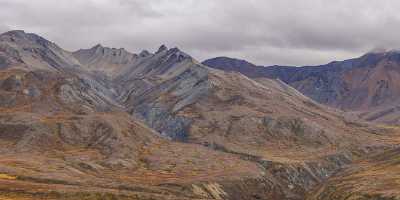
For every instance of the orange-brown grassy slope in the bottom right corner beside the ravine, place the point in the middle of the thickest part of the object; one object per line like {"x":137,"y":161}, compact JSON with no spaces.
{"x":374,"y":178}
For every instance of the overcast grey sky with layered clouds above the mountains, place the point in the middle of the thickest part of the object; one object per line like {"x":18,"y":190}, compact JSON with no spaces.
{"x":266,"y":32}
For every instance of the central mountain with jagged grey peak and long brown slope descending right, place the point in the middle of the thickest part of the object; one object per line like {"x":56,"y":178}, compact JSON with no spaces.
{"x":228,"y":112}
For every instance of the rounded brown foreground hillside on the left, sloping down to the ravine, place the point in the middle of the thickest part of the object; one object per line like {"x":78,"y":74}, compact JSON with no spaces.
{"x":61,"y":139}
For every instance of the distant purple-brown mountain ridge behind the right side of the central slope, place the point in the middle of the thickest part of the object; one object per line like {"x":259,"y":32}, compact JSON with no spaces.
{"x":368,"y":84}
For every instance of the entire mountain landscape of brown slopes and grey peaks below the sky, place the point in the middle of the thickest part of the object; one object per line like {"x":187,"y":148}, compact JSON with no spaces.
{"x":105,"y":123}
